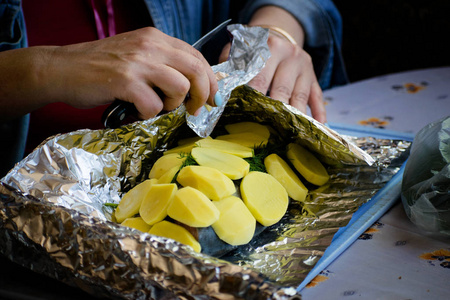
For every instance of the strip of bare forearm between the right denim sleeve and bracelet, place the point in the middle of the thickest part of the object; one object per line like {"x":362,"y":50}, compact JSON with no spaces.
{"x":278,"y":17}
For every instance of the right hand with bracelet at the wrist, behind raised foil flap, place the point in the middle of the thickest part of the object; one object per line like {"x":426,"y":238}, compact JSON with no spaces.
{"x":288,"y":74}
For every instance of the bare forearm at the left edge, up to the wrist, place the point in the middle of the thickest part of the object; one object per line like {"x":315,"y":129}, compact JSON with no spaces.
{"x":23,"y":88}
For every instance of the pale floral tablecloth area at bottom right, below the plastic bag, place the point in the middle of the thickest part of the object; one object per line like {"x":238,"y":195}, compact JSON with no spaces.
{"x":390,"y":260}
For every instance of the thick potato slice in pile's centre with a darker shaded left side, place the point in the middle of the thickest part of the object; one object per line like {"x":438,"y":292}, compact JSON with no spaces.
{"x":211,"y":182}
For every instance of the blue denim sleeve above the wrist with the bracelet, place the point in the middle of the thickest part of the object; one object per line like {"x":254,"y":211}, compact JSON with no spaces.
{"x":322,"y":24}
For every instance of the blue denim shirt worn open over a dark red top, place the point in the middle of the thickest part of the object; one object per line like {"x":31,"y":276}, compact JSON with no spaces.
{"x":189,"y":20}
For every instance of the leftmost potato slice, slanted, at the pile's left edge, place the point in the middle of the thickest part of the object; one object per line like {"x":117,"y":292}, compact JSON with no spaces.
{"x":131,"y":201}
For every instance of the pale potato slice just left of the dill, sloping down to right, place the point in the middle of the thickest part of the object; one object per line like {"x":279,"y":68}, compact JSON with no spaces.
{"x":232,"y":166}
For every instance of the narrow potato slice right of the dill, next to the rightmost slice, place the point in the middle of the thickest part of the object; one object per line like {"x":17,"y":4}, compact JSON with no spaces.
{"x":282,"y":172}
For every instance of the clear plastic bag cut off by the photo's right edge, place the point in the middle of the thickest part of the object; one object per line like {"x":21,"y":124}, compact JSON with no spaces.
{"x":426,"y":180}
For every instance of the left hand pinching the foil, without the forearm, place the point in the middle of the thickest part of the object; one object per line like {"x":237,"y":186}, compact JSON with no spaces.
{"x":146,"y":67}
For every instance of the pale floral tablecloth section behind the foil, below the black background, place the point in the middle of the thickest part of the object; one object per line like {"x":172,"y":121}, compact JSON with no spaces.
{"x":404,"y":102}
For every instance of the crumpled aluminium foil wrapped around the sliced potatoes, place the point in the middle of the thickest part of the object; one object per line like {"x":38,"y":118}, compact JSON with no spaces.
{"x":53,"y":217}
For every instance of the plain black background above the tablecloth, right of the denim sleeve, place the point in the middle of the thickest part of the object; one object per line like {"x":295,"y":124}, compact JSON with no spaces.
{"x":389,"y":36}
